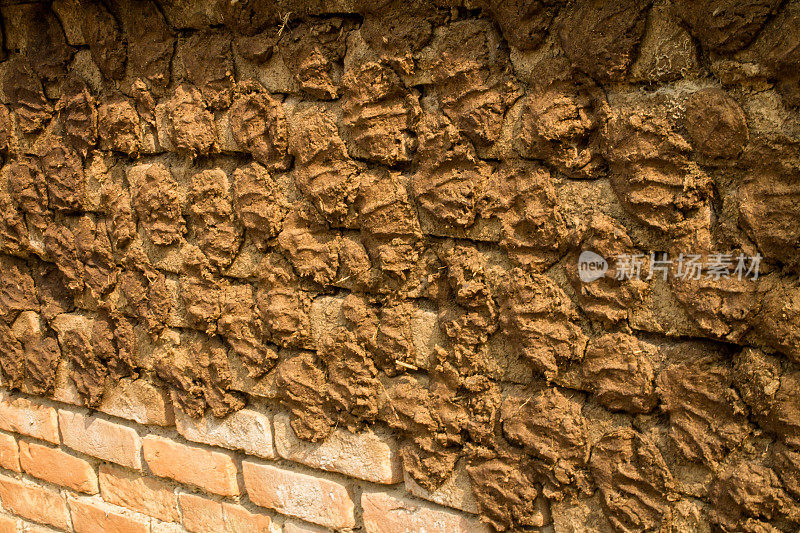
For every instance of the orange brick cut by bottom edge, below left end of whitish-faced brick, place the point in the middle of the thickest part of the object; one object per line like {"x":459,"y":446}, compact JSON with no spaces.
{"x":202,"y":515}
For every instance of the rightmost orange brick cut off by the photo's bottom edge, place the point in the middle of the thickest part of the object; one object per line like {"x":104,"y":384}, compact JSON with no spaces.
{"x":385,"y":513}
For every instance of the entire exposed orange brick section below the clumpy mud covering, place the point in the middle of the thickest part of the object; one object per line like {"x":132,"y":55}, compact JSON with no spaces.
{"x":65,"y":468}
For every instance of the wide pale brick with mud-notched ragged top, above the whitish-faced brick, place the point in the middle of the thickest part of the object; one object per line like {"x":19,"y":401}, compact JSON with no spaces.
{"x":365,"y":455}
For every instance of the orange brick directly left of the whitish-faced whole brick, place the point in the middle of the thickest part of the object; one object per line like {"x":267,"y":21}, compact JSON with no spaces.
{"x":214,"y":471}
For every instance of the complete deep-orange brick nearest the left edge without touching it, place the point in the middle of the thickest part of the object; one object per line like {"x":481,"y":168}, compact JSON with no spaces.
{"x":57,"y":466}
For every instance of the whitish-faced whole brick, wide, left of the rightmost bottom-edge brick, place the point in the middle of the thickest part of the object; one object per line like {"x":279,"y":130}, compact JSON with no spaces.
{"x":314,"y":499}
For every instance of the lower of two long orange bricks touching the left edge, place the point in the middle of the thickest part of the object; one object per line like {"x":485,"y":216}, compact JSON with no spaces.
{"x":34,"y":502}
